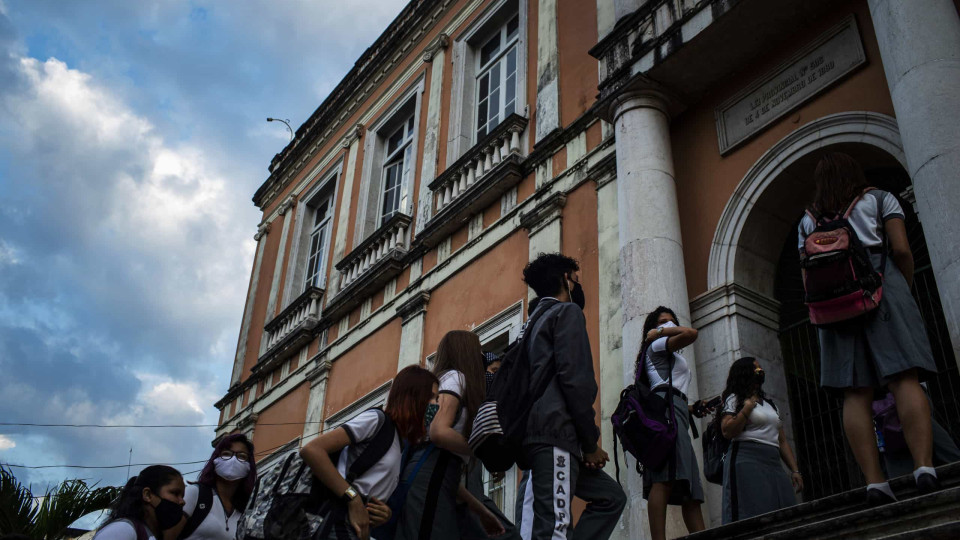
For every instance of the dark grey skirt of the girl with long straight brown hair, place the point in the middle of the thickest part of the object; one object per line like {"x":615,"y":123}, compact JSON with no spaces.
{"x":430,"y":511}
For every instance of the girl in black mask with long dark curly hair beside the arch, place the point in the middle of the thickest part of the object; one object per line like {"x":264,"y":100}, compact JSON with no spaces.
{"x":754,"y":481}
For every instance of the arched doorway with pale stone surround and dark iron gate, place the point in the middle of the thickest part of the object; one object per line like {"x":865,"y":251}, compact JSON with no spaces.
{"x":754,"y":273}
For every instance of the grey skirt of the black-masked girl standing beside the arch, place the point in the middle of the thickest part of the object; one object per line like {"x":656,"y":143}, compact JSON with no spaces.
{"x":754,"y":481}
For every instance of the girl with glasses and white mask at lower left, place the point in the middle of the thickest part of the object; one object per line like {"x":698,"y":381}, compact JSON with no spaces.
{"x":214,"y":504}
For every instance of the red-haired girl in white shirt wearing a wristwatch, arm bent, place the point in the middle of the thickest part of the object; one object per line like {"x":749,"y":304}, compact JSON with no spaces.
{"x":412,"y":390}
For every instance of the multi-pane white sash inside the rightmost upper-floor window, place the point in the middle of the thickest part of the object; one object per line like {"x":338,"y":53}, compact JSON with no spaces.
{"x":497,"y":63}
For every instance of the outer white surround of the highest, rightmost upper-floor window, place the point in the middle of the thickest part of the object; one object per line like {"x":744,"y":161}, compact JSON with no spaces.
{"x":466,"y":58}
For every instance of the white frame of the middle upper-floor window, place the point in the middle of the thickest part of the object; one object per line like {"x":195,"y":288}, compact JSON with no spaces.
{"x":373,"y":175}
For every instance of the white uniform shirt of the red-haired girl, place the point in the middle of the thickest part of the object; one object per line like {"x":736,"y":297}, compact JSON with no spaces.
{"x":382,"y":478}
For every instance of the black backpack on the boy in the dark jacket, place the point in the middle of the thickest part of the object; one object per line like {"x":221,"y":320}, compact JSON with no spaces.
{"x":501,"y":422}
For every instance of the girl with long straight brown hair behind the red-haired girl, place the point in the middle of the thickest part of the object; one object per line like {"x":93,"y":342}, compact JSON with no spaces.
{"x":430,"y":510}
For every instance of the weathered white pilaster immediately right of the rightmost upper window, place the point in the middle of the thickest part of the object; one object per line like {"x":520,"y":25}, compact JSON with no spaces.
{"x":548,"y":69}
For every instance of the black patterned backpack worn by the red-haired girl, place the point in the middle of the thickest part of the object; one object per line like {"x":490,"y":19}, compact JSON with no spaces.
{"x":289,"y":503}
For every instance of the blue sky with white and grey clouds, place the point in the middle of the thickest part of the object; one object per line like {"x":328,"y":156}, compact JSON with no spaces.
{"x":132,"y":137}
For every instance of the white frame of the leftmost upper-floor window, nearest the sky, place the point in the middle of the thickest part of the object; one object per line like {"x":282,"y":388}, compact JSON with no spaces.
{"x":299,"y":258}
